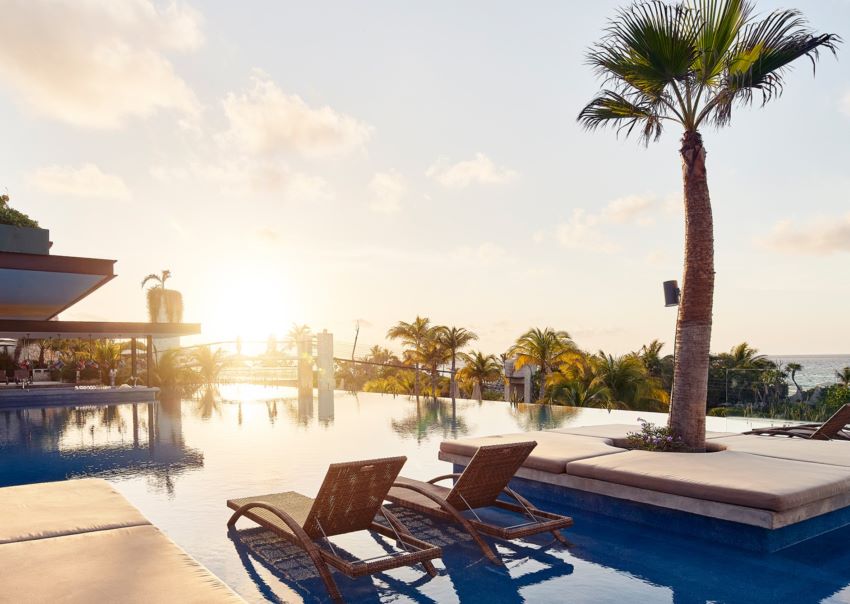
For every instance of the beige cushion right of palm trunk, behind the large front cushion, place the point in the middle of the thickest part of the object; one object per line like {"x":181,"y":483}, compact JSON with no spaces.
{"x":833,"y":452}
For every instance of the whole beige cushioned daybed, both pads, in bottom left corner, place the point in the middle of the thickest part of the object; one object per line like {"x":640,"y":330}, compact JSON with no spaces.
{"x":82,"y":541}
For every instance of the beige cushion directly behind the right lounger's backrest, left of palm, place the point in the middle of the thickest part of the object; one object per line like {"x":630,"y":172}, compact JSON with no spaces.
{"x":552,"y":453}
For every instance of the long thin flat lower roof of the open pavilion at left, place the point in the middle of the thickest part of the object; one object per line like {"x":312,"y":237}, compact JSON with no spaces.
{"x":94,"y":330}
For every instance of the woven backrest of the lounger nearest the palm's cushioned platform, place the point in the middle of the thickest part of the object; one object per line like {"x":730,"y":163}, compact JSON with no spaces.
{"x":488,"y":473}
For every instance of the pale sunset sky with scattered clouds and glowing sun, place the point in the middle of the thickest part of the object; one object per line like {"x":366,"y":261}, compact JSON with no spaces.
{"x":333,"y":162}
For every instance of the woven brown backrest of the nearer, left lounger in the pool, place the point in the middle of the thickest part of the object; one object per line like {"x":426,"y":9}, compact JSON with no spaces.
{"x":351,"y":495}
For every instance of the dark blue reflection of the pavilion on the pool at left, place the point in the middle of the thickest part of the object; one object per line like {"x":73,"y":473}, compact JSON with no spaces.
{"x":56,"y":443}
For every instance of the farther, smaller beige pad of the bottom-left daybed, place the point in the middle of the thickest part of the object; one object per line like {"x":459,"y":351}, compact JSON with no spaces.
{"x":50,"y":509}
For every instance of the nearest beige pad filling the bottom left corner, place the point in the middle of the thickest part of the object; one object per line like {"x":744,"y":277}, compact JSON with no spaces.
{"x":128,"y":565}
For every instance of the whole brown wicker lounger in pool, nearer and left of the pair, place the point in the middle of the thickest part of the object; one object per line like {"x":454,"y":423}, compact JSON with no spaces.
{"x":348,"y":501}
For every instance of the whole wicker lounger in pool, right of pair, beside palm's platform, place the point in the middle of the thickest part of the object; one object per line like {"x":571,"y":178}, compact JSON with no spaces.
{"x":479,"y":486}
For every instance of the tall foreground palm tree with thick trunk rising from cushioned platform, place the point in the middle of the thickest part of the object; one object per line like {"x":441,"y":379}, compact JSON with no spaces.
{"x":689,"y":64}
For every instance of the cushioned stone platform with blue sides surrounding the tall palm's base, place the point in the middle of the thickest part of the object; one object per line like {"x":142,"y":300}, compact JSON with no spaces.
{"x":756,"y":492}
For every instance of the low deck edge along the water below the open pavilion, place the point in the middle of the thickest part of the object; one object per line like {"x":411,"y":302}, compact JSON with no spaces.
{"x":51,"y":396}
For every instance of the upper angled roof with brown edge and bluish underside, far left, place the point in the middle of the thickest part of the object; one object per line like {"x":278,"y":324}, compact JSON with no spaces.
{"x":39,"y":286}
